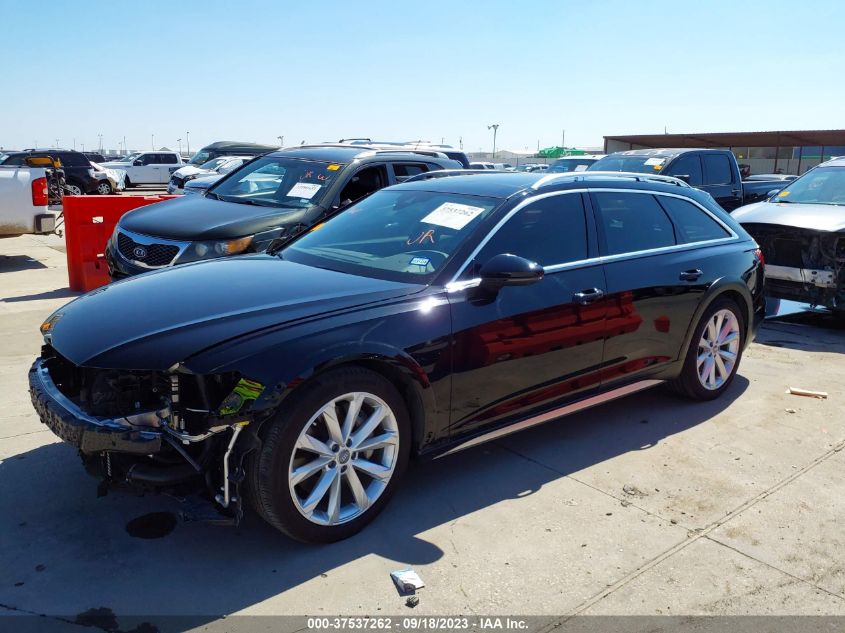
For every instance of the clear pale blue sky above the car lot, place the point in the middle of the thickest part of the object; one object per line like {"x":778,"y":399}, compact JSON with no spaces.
{"x":256,"y":69}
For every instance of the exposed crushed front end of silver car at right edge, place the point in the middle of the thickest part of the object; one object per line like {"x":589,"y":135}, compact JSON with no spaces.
{"x":802,"y":264}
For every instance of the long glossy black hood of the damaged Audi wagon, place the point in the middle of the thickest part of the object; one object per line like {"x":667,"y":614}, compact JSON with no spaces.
{"x":155,"y":320}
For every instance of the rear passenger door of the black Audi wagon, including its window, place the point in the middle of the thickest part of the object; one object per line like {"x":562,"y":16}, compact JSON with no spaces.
{"x":656,"y":276}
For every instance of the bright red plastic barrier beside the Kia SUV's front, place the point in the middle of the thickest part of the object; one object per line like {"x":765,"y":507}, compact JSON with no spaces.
{"x":89,"y":222}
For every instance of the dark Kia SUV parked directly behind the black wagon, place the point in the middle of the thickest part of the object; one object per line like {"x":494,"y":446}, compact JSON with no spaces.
{"x":271,"y":197}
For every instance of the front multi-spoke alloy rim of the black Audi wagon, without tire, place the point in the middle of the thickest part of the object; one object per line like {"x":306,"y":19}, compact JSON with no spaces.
{"x":344,"y":458}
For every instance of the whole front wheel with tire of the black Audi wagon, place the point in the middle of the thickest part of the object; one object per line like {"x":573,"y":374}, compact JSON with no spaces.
{"x":331,"y":459}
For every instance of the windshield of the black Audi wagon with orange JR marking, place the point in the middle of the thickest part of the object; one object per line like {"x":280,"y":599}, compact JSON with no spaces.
{"x":398,"y":235}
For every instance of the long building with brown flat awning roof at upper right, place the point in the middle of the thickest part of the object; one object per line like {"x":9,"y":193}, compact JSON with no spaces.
{"x":779,"y":152}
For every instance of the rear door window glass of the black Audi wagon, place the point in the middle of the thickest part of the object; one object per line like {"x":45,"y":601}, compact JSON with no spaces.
{"x":633,"y":222}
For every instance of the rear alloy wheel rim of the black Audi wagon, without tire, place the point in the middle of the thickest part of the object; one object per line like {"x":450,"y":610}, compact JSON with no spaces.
{"x":718,"y":349}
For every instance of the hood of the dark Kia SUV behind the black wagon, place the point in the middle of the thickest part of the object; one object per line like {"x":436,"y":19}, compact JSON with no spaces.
{"x":201,"y":218}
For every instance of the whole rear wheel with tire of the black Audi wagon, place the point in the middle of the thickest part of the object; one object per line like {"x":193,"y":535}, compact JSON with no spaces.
{"x":714,"y":353}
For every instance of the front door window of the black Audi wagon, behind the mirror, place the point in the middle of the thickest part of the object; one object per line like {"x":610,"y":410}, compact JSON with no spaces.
{"x":549,"y":231}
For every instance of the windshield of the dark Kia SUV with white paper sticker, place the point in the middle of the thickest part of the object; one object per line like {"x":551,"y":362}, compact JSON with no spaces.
{"x":279,"y":182}
